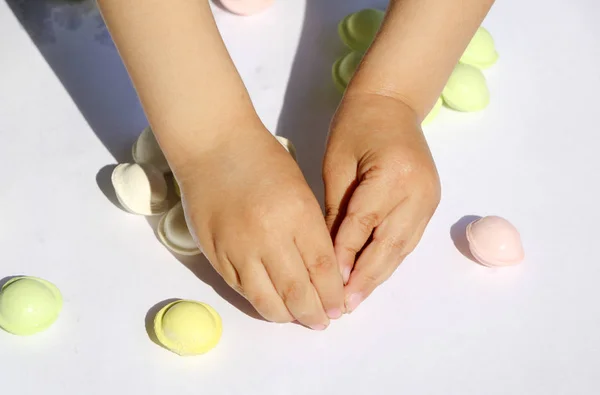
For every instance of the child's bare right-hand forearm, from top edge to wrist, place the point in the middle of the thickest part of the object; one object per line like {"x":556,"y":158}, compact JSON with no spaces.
{"x":417,"y":48}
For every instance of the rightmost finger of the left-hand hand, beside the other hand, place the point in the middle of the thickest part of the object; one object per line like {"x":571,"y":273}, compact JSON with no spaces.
{"x":316,"y":251}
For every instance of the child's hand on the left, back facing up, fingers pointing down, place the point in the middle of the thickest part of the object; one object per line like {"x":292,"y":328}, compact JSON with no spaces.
{"x":261,"y":227}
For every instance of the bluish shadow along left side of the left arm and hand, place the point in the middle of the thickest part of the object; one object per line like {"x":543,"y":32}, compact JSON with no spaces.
{"x":75,"y":42}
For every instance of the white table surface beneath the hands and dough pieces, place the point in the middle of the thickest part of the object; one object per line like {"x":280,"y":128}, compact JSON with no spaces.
{"x":441,"y":325}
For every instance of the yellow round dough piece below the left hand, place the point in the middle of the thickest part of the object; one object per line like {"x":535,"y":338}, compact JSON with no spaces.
{"x":188,"y":328}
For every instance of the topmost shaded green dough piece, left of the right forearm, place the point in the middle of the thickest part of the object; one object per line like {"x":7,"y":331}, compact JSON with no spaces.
{"x":358,"y":29}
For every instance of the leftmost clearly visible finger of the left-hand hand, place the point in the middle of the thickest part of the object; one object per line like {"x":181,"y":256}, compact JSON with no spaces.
{"x":257,"y":288}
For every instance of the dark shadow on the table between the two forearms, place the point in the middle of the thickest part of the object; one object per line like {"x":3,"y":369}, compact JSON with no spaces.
{"x":311,"y":97}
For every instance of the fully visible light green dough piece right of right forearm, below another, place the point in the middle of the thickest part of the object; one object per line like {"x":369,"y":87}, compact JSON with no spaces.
{"x":466,"y":89}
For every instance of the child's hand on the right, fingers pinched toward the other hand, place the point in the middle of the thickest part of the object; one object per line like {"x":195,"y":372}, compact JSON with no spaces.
{"x":381,"y":189}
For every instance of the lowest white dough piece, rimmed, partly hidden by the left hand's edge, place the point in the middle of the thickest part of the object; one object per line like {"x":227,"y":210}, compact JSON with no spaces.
{"x":174,"y":233}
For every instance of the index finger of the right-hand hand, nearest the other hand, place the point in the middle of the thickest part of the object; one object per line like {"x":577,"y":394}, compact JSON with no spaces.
{"x":370,"y":203}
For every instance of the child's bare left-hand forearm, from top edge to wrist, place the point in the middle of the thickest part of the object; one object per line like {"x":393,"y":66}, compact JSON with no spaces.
{"x":186,"y":81}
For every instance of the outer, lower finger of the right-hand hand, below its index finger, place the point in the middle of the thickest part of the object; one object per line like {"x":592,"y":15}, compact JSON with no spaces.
{"x":392,"y":242}
